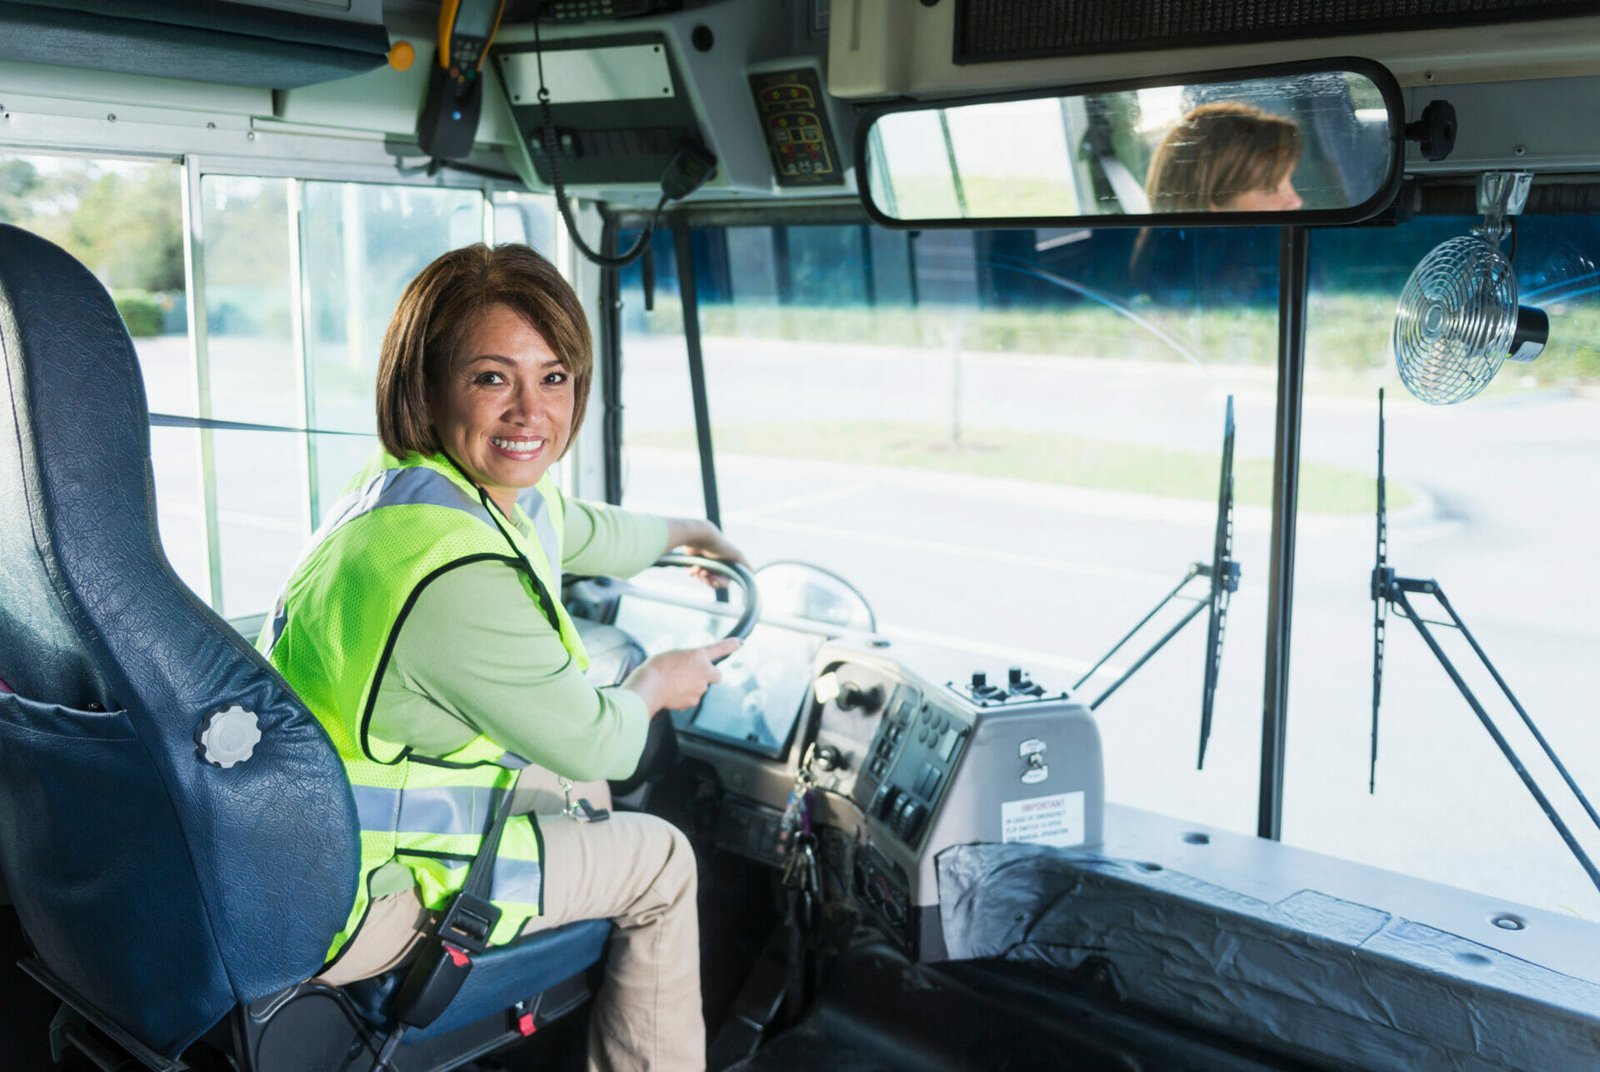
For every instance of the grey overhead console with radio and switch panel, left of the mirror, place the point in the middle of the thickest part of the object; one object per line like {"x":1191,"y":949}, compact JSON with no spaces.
{"x":751,"y":92}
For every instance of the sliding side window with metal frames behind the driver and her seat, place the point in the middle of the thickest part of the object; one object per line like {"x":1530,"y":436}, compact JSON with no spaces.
{"x":295,"y":282}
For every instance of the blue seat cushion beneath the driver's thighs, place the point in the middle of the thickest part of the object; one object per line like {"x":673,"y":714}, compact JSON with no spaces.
{"x":500,"y":978}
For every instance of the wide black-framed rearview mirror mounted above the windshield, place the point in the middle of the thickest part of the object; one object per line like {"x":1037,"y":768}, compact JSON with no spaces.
{"x":1322,"y":143}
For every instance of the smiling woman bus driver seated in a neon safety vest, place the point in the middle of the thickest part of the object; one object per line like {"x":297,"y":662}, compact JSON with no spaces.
{"x":426,"y":633}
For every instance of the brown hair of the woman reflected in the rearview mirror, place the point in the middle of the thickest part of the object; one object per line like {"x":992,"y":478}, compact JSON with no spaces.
{"x":1217,"y":153}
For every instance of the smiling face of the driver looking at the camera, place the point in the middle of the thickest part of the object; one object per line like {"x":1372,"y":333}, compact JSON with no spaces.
{"x":505,"y":407}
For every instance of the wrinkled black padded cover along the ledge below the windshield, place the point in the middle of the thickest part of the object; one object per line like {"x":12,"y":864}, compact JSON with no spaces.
{"x":1310,"y":975}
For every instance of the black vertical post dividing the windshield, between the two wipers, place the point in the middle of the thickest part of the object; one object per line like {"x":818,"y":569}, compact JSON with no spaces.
{"x":1294,"y":282}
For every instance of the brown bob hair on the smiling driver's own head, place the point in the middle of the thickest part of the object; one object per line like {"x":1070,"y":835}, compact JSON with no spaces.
{"x":441,"y":306}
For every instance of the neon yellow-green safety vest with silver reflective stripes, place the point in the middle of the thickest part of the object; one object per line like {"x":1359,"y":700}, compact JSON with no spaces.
{"x":401,"y":526}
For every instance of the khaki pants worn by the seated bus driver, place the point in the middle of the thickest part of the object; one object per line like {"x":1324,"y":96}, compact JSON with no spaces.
{"x":634,"y":870}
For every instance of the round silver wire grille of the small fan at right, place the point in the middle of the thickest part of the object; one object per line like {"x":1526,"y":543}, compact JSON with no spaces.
{"x":1455,"y":321}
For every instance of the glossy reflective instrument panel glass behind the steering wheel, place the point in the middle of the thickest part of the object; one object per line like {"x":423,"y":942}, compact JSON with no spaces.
{"x":764,"y":686}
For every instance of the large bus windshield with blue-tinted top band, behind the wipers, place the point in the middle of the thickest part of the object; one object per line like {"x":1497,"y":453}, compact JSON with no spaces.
{"x":1012,"y":442}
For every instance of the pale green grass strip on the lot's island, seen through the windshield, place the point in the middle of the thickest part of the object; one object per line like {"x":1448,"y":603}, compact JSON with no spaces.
{"x":1062,"y":460}
